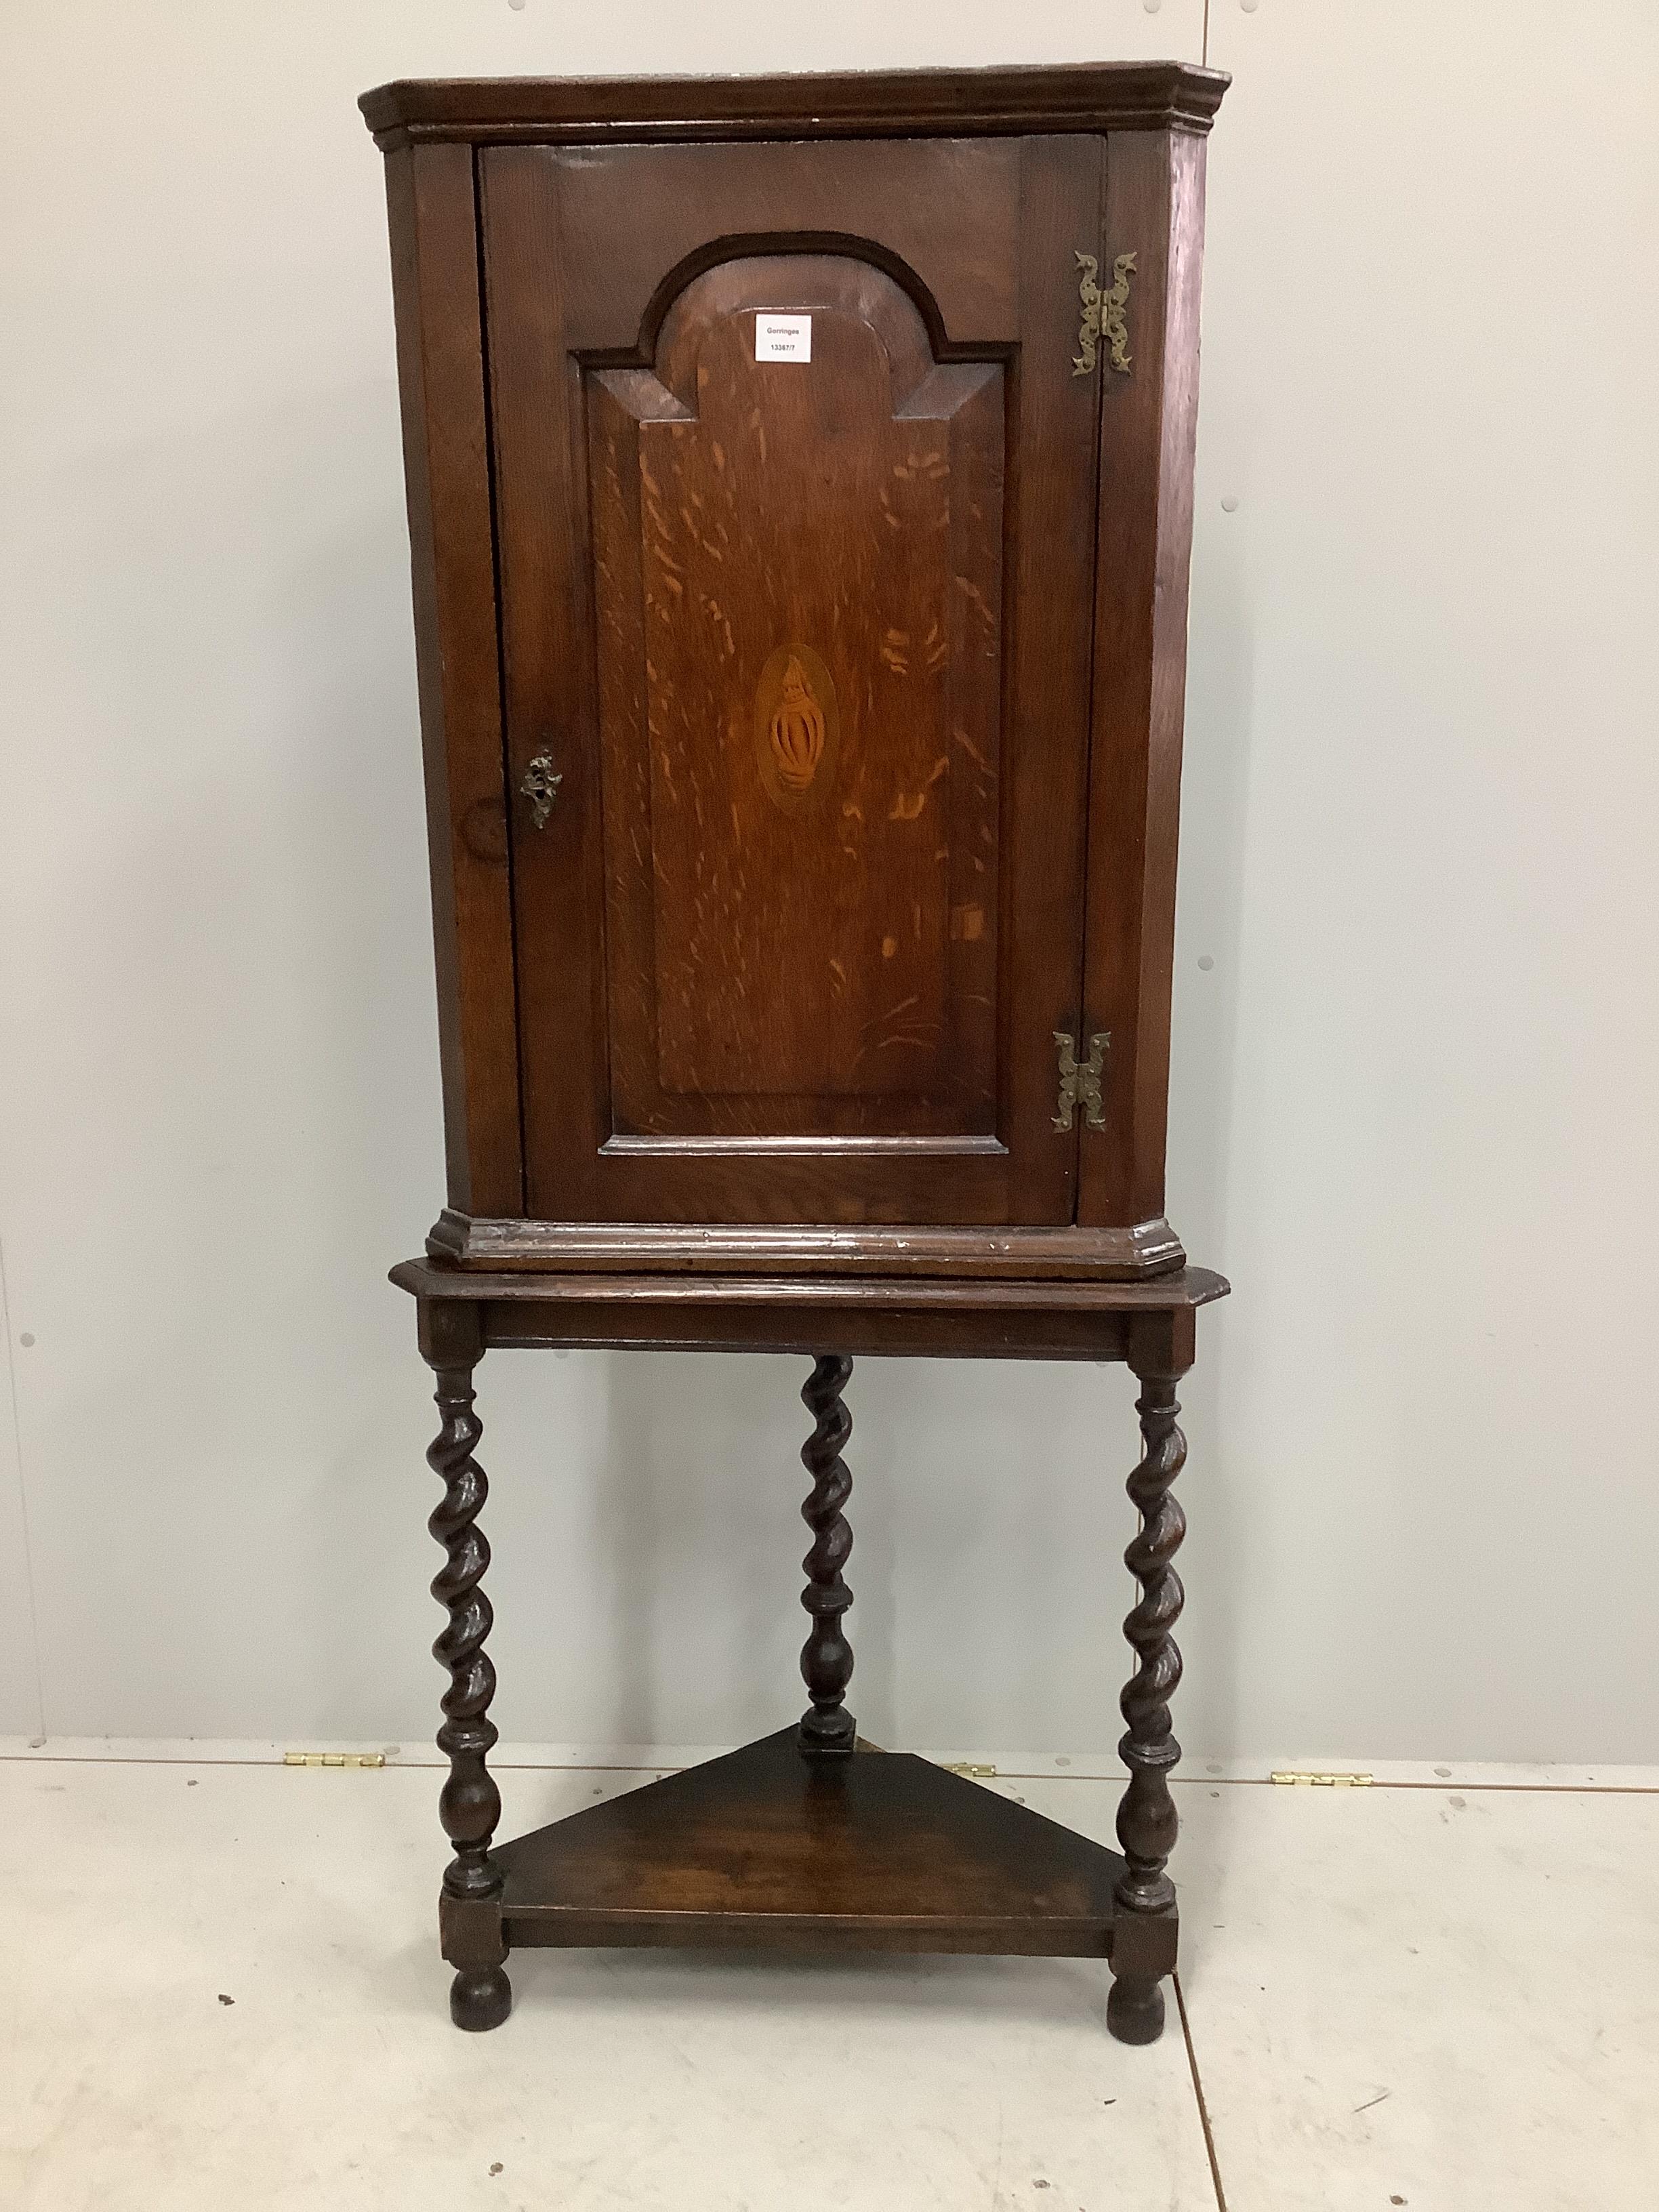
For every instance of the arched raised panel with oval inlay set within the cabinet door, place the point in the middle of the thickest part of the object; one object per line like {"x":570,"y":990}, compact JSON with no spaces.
{"x":800,"y":645}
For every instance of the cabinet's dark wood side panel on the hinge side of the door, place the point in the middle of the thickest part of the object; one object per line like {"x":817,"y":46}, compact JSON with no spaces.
{"x":1149,"y":426}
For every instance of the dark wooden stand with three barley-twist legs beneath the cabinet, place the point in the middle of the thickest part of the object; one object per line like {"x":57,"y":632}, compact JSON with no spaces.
{"x":811,"y":1837}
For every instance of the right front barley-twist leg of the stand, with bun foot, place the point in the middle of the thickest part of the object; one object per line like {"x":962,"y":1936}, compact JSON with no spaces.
{"x":1147,"y":1815}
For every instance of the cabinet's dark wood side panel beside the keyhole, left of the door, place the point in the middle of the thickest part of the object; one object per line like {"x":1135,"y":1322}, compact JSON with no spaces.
{"x":446,"y":459}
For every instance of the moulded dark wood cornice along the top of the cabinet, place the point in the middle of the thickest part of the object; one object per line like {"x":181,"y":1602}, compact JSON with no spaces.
{"x":904,"y":103}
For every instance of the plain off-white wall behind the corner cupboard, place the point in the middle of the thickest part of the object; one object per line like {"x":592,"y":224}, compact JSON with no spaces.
{"x":1415,"y":1094}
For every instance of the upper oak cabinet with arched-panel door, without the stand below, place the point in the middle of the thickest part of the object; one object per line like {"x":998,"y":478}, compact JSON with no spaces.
{"x":802,"y":738}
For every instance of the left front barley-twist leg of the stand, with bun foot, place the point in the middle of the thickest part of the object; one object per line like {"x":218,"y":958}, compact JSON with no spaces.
{"x":470,"y":1804}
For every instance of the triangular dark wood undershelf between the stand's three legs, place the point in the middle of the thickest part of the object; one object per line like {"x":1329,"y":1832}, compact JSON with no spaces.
{"x":875,"y":1853}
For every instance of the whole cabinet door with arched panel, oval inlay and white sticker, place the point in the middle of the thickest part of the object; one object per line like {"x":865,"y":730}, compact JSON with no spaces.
{"x":795,"y":514}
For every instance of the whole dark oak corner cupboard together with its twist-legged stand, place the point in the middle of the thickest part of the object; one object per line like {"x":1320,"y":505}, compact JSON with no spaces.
{"x":800,"y":499}
